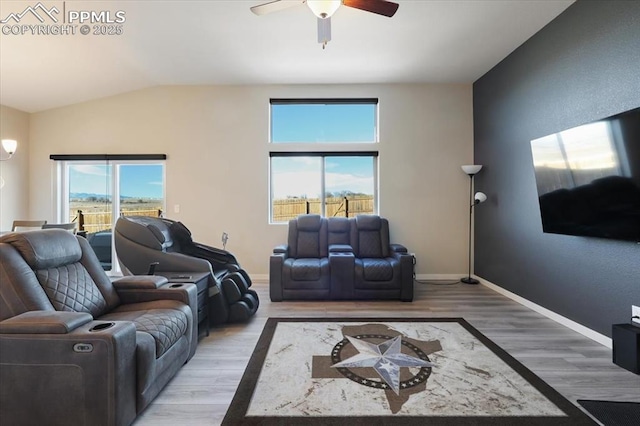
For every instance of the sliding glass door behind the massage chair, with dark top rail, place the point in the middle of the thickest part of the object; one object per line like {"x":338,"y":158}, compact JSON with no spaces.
{"x":94,"y":193}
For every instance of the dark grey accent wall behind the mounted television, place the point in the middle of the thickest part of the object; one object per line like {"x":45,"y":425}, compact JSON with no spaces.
{"x":583,"y":66}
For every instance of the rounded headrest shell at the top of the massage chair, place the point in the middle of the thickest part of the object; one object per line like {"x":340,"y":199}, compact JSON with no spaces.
{"x":148,"y":231}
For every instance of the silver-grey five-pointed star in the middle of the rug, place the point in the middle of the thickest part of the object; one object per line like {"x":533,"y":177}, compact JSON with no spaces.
{"x":386,"y":358}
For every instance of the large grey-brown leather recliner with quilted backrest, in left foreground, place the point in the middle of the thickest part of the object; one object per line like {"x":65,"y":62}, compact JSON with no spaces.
{"x":76,"y":348}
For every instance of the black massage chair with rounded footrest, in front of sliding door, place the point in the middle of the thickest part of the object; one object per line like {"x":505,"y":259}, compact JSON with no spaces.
{"x":141,"y":241}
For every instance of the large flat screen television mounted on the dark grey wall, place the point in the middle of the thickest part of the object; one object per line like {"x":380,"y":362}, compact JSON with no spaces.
{"x":588,"y":178}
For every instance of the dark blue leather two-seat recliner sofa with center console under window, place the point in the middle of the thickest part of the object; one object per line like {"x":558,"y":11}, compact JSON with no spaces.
{"x":340,"y":259}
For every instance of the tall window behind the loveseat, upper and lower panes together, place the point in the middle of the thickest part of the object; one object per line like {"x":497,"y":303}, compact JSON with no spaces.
{"x":317,"y":178}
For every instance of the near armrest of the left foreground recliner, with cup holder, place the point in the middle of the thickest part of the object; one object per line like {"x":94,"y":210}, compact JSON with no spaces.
{"x":87,"y":375}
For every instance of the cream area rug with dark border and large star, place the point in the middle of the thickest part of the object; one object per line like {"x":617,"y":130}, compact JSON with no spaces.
{"x":390,"y":371}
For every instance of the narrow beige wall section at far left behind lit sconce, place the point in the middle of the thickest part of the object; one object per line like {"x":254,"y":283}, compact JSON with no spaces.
{"x":14,"y":200}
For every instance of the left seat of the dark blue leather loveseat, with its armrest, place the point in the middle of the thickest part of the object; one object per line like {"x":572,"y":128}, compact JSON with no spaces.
{"x":300,"y":269}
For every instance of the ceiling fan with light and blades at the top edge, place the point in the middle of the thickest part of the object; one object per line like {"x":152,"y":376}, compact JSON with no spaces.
{"x":324,"y":9}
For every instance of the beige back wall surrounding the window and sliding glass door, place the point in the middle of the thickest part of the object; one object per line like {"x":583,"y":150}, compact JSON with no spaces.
{"x":215,"y":138}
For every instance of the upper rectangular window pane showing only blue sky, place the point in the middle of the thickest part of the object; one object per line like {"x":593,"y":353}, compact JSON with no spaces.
{"x":324,"y":120}
